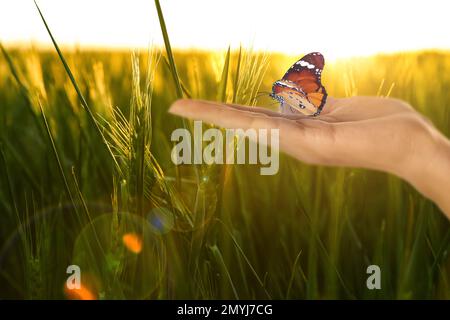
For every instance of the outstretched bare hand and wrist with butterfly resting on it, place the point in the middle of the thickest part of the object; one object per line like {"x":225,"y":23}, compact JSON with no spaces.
{"x":365,"y":132}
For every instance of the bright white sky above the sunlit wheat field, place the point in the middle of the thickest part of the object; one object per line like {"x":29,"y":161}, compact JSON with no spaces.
{"x":336,"y":28}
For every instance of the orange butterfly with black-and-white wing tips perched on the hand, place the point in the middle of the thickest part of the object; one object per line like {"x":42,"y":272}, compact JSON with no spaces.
{"x":300,"y":89}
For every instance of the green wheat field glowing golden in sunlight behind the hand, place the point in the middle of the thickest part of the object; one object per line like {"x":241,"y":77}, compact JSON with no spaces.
{"x":85,"y":162}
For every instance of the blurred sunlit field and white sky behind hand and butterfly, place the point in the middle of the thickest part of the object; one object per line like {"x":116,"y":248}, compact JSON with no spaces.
{"x":85,"y":170}
